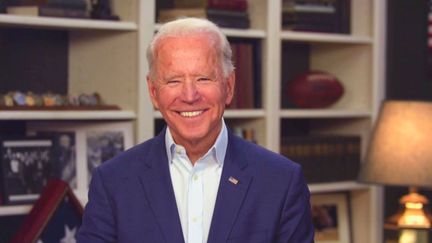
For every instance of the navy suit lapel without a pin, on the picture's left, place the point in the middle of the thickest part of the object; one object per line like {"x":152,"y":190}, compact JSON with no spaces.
{"x":157,"y":184}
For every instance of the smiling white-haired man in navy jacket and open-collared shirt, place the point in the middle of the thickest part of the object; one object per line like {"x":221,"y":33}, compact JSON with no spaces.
{"x":195,"y":182}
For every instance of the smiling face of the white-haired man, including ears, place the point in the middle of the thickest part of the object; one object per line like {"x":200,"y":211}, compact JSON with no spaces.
{"x":189,"y":88}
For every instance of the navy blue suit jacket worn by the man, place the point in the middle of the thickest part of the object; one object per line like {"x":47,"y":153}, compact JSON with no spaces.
{"x":131,"y":199}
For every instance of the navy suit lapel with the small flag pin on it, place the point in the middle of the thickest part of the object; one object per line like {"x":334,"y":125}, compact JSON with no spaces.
{"x":233,"y":188}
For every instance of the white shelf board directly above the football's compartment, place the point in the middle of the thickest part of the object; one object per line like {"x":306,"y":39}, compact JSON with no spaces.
{"x":324,"y":37}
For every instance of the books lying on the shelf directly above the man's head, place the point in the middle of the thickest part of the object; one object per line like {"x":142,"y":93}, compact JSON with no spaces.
{"x":225,"y":13}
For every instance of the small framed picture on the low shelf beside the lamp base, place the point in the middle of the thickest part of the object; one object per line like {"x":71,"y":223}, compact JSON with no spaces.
{"x":331,"y":218}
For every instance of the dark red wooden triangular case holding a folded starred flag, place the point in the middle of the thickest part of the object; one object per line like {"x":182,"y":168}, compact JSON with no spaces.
{"x":55,"y":217}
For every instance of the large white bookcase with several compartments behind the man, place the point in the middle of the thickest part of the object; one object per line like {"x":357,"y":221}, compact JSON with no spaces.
{"x":109,"y":57}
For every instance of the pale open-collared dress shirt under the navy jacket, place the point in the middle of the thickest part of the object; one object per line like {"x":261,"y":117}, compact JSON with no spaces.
{"x":195,"y":186}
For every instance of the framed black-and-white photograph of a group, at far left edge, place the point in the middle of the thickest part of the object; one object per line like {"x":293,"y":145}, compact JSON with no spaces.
{"x":26,"y":166}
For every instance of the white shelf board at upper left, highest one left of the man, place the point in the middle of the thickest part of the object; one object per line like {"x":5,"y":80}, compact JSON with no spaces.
{"x":65,"y":23}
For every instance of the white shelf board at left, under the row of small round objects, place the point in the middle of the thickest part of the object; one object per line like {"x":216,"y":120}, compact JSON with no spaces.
{"x":67,"y":115}
